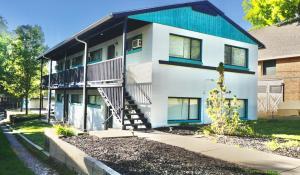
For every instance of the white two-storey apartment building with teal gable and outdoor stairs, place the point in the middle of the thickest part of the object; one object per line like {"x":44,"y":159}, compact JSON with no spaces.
{"x":171,"y":57}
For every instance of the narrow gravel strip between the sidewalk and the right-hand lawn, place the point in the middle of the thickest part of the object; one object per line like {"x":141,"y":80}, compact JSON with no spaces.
{"x":259,"y":144}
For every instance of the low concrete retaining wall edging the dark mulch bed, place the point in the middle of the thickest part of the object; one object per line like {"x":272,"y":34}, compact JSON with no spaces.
{"x":74,"y":158}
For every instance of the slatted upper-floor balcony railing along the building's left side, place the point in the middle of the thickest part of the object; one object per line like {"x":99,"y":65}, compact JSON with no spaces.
{"x":98,"y":74}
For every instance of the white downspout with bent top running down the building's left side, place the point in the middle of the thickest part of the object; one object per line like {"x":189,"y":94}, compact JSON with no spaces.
{"x":84,"y":83}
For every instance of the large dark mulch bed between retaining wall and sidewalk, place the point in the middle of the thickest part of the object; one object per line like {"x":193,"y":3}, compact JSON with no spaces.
{"x":141,"y":156}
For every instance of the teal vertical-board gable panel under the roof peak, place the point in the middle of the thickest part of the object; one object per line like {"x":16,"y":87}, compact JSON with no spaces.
{"x":187,"y":18}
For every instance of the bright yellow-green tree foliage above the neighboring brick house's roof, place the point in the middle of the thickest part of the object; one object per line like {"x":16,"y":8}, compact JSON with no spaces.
{"x":261,"y":13}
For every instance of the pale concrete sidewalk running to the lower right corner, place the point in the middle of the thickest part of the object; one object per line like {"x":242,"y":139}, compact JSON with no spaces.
{"x":242,"y":156}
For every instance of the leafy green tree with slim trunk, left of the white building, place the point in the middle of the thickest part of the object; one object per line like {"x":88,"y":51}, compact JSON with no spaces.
{"x":21,"y":76}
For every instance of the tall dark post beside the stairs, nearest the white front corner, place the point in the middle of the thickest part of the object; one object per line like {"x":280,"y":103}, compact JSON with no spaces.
{"x":124,"y":70}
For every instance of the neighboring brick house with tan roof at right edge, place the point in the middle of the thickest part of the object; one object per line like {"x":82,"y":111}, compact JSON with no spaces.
{"x":279,"y":68}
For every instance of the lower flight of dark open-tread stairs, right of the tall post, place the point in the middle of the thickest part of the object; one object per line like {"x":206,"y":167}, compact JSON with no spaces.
{"x":134,"y":118}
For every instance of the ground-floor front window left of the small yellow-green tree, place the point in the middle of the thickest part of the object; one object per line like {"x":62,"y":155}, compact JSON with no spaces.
{"x":183,"y":108}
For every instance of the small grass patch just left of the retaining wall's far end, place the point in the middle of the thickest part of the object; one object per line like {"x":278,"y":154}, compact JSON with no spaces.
{"x":33,"y":130}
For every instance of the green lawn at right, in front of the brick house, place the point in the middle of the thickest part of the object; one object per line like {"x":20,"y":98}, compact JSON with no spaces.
{"x":277,"y":128}
